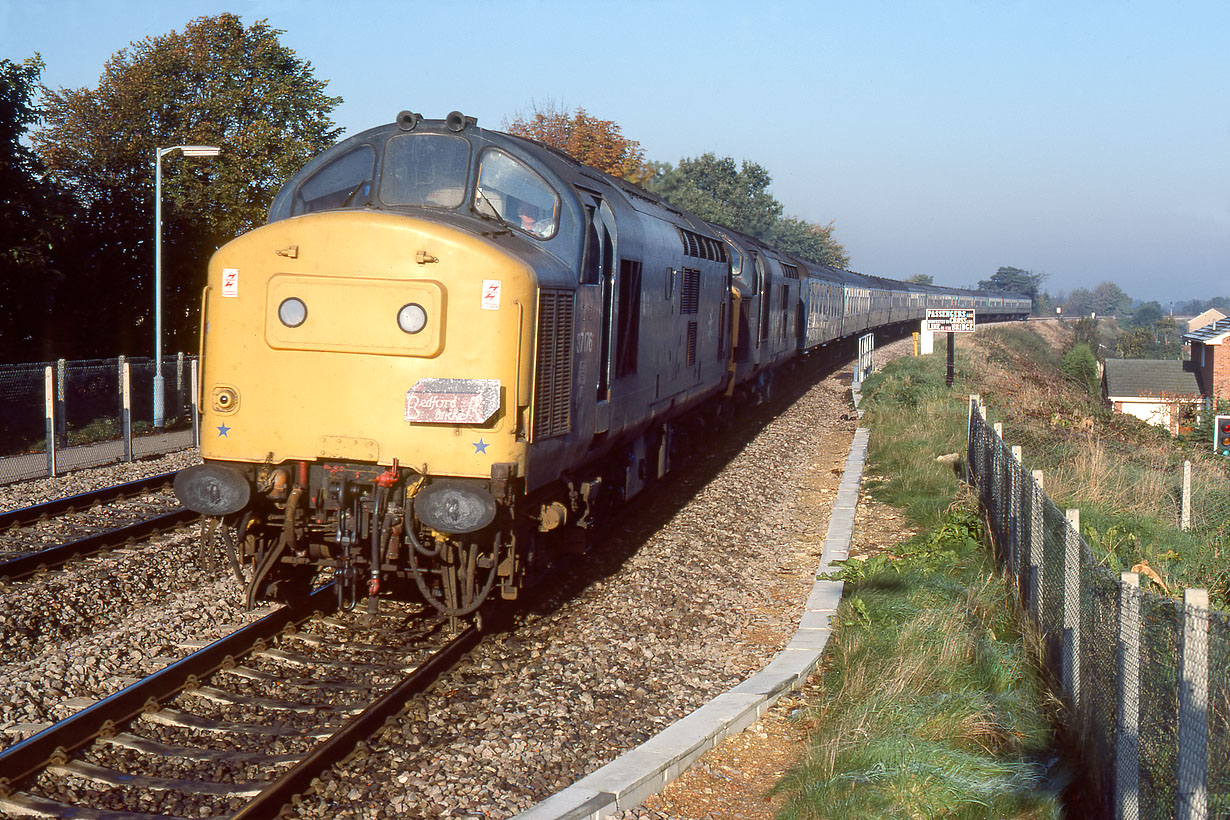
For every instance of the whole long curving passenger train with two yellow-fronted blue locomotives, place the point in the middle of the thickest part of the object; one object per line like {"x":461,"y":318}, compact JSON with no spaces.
{"x":452,"y":353}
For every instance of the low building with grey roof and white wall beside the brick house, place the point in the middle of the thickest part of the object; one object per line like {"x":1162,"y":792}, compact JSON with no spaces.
{"x":1164,"y":393}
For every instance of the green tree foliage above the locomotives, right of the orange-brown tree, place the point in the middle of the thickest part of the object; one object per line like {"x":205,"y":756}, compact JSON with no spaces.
{"x":737,"y":196}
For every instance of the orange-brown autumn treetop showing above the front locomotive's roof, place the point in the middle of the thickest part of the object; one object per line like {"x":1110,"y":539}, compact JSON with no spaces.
{"x":597,"y":143}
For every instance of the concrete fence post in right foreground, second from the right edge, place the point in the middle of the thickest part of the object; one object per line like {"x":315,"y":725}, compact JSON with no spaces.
{"x":1127,"y":737}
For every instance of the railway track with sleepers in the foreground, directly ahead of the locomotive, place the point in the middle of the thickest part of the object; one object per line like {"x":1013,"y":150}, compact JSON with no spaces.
{"x":238,"y":728}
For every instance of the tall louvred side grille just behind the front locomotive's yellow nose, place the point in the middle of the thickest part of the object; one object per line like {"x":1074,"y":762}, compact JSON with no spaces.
{"x":553,"y":376}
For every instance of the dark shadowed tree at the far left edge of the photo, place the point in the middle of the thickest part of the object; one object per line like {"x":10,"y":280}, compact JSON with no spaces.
{"x":33,"y":221}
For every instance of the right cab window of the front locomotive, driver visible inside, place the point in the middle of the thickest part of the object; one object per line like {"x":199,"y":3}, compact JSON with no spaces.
{"x":514,"y":194}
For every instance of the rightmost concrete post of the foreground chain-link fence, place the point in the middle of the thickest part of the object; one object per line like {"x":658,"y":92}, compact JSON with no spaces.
{"x":1192,"y":798}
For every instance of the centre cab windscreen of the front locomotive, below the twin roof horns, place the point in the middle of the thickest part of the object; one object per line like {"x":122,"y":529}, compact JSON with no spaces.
{"x":425,"y":170}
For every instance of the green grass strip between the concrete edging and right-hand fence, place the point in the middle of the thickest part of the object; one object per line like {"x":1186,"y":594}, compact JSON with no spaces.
{"x":929,"y":705}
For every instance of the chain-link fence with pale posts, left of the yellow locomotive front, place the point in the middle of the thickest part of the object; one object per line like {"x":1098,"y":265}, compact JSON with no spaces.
{"x":63,"y":416}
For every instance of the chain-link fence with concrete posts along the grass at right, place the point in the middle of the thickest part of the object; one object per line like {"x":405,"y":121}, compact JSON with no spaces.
{"x":1145,"y":677}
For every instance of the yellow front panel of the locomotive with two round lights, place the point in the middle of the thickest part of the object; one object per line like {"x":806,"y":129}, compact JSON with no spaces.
{"x":328,"y":337}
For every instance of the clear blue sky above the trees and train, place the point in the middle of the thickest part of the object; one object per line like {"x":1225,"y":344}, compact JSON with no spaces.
{"x":1088,"y":141}
